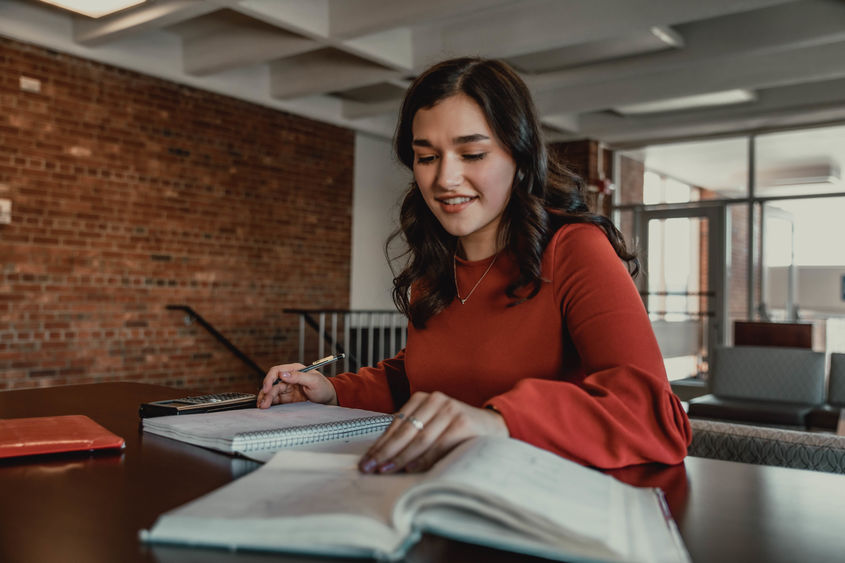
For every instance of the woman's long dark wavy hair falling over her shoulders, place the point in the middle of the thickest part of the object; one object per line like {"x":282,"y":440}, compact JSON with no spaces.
{"x":545,"y":194}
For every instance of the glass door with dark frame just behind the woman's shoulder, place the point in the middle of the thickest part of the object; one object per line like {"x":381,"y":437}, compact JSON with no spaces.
{"x":683,"y":286}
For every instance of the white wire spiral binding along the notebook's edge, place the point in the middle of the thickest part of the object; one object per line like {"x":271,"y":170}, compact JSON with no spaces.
{"x":310,"y":434}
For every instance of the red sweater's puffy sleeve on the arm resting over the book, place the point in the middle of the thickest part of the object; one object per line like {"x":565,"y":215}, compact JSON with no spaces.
{"x":620,"y":410}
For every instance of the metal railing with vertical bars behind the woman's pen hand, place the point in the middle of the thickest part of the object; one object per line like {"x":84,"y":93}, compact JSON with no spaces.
{"x":365,"y":336}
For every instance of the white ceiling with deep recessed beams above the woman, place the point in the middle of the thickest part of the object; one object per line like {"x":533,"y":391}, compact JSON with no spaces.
{"x":348,"y":61}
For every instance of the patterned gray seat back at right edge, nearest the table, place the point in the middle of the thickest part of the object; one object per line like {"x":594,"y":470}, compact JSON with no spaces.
{"x":767,"y":446}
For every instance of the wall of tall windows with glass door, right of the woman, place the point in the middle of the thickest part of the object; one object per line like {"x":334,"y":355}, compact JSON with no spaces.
{"x":782,"y":248}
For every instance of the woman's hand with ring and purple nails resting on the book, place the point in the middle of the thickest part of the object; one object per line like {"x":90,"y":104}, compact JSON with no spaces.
{"x":427,"y":428}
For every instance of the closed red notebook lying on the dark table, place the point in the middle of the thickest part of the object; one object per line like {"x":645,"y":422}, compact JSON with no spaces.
{"x":53,"y":434}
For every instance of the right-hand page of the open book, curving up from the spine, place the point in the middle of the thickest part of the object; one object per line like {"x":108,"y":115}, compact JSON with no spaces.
{"x":528,"y":488}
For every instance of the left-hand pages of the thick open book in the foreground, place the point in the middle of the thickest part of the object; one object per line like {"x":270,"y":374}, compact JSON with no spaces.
{"x":300,"y":502}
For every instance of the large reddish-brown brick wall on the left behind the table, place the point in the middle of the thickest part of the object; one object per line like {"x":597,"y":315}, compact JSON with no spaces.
{"x":130,"y":193}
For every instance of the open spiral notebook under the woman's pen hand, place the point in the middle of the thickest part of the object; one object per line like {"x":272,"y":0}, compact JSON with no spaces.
{"x":253,"y":431}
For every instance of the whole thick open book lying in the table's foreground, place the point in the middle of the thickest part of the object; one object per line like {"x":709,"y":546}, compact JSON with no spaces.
{"x":497,"y":492}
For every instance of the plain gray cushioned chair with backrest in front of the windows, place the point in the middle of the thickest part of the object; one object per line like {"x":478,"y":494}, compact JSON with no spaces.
{"x":763,"y":385}
